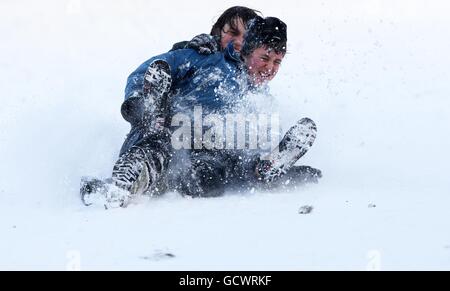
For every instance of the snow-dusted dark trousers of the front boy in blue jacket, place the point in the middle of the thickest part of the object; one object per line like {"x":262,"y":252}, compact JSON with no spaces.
{"x":196,"y":173}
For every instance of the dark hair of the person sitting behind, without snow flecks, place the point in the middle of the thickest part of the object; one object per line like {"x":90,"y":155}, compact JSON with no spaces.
{"x":230,"y":16}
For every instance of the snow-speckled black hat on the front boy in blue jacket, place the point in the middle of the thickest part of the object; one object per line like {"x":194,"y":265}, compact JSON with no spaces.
{"x":269,"y":32}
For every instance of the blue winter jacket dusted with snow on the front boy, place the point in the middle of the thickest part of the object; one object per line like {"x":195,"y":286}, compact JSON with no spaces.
{"x":216,"y":82}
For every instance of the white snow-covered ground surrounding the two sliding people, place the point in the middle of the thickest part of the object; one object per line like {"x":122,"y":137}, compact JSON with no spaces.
{"x":372,"y":74}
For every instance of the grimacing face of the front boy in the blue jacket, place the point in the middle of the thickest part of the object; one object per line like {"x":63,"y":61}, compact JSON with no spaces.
{"x":263,"y":65}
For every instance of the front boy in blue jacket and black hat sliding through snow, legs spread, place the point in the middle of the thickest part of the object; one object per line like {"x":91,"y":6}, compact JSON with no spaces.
{"x":176,"y":82}
